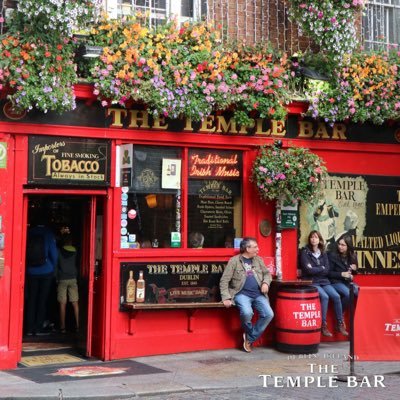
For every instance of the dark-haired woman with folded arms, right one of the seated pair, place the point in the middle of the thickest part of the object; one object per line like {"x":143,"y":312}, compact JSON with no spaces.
{"x":343,"y":265}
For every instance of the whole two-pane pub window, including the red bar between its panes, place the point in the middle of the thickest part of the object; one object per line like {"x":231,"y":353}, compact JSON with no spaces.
{"x":153,"y":190}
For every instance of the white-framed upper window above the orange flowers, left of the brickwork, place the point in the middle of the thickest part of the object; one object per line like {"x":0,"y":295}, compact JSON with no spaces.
{"x":158,"y":10}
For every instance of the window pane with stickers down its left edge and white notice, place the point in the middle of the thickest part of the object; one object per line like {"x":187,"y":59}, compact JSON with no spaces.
{"x":150,"y":200}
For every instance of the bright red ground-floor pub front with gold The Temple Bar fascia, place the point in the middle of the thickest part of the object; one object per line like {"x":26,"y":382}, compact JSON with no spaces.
{"x":159,"y":206}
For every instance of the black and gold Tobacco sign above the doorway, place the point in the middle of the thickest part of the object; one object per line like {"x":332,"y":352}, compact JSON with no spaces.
{"x":57,"y":160}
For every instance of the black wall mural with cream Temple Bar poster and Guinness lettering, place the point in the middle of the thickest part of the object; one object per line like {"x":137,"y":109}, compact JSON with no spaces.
{"x":367,"y":208}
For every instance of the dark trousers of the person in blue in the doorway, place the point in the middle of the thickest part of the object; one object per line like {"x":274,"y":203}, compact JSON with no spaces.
{"x":38,"y":288}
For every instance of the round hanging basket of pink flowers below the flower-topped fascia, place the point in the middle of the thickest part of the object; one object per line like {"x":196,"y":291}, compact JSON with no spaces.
{"x":291,"y":174}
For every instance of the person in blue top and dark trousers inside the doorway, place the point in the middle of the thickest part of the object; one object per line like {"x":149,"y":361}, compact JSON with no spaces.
{"x":41,"y":260}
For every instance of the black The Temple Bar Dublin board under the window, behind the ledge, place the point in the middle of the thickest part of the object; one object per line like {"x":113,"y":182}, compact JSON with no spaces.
{"x":180,"y":282}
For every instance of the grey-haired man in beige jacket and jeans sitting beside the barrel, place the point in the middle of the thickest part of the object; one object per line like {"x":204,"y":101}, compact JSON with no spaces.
{"x":245,"y":283}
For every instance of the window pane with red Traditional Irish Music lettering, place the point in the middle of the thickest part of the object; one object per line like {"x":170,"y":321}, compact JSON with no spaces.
{"x":215,"y":198}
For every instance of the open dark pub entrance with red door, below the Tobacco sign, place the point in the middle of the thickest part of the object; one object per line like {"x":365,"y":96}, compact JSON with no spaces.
{"x":52,"y":326}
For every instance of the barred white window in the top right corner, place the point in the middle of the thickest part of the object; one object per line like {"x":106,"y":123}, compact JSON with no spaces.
{"x":381,"y":24}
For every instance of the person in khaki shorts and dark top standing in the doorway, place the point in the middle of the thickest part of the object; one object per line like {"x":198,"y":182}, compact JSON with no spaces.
{"x":66,"y":275}
